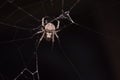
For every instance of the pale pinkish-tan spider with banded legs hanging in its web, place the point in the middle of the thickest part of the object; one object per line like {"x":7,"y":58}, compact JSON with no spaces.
{"x":48,"y":30}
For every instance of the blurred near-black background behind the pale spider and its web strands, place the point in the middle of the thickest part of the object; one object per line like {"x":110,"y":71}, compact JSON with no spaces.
{"x":92,"y":46}
